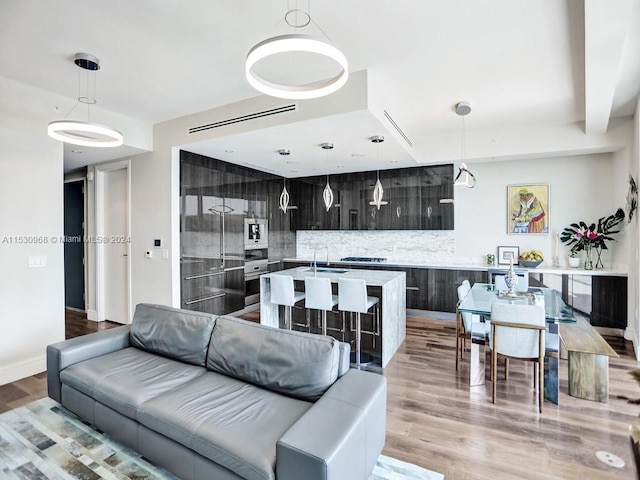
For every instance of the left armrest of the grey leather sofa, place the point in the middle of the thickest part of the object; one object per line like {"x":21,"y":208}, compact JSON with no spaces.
{"x":62,"y":354}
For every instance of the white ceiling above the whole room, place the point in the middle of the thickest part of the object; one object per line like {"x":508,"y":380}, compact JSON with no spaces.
{"x":522,"y":65}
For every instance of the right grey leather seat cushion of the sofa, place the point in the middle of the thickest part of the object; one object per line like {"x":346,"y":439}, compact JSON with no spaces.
{"x":228,"y":421}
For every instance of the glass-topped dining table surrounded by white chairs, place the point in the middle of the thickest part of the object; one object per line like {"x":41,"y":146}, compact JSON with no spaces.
{"x":478,"y":302}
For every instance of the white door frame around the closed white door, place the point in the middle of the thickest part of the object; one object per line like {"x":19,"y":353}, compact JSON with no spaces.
{"x":100,"y":171}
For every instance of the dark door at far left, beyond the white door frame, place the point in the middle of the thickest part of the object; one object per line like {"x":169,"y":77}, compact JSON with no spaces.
{"x":74,"y":245}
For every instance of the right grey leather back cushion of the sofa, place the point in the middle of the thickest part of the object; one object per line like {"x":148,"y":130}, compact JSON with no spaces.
{"x":294,"y":363}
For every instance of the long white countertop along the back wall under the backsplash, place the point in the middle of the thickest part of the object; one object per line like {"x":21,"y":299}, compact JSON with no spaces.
{"x":444,"y":265}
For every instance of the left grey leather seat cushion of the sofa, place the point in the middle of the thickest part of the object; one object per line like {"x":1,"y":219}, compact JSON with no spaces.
{"x":124,"y":379}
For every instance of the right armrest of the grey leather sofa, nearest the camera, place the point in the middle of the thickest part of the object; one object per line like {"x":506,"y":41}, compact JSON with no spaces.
{"x":341,"y":435}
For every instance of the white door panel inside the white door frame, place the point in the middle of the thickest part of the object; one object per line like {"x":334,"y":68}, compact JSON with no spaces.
{"x":115,"y":242}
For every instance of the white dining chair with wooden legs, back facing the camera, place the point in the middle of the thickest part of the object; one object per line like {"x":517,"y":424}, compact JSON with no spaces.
{"x":518,"y":332}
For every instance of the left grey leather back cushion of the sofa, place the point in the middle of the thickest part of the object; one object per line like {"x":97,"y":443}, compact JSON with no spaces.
{"x":171,"y":332}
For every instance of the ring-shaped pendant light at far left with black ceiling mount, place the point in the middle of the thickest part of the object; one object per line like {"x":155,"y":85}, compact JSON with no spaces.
{"x":86,"y":134}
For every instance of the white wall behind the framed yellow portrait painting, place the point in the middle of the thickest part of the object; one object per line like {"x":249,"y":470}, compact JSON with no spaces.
{"x":584,"y":187}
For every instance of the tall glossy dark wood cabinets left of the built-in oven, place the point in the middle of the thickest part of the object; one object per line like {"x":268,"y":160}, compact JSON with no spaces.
{"x":215,"y":199}
